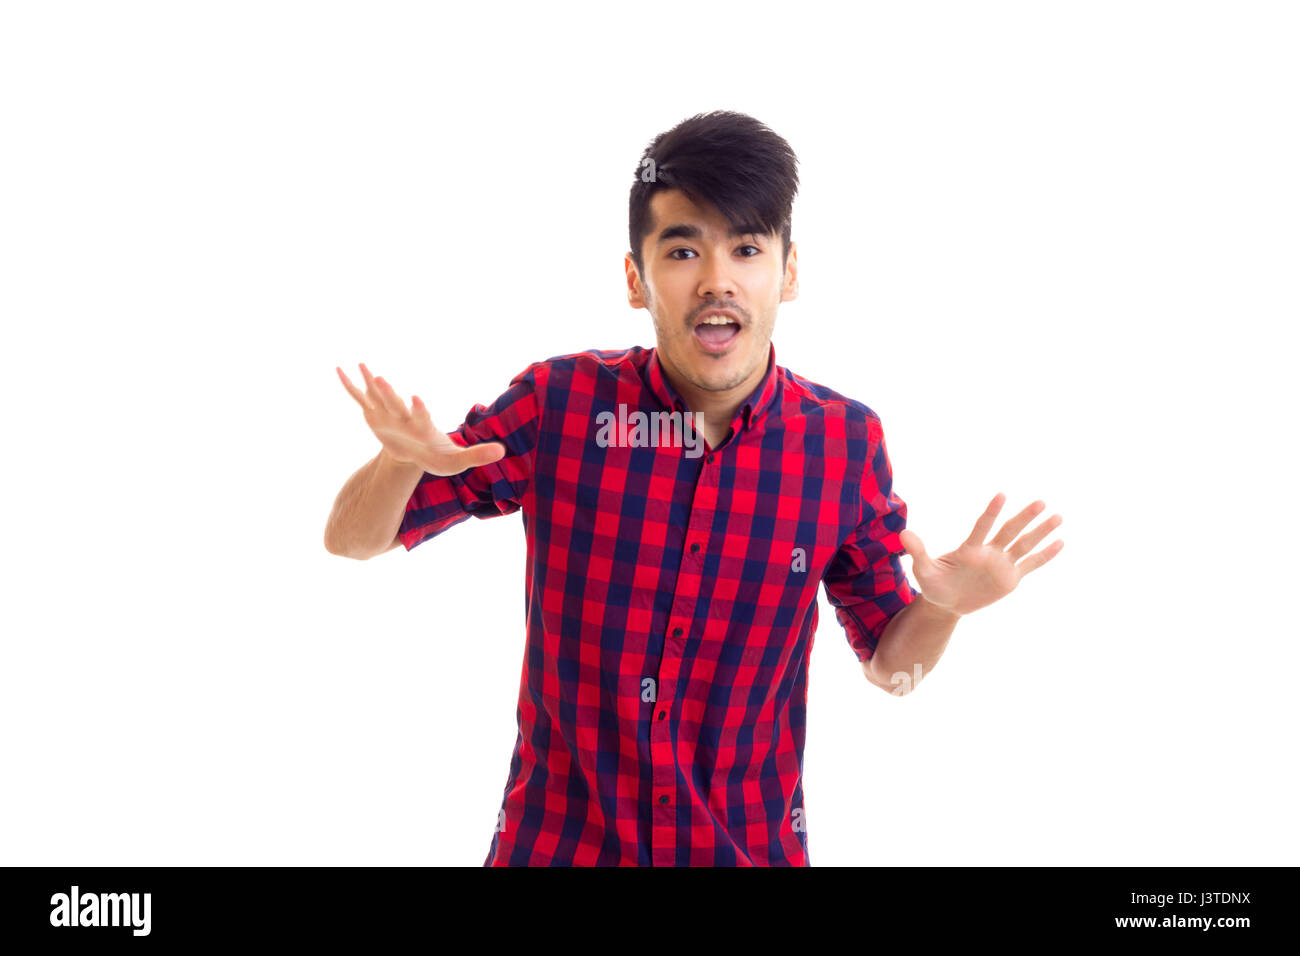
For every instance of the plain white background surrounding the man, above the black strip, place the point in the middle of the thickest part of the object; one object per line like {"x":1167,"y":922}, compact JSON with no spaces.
{"x":1052,"y":245}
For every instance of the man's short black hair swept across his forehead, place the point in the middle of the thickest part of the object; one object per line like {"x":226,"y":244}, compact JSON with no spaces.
{"x":727,"y":159}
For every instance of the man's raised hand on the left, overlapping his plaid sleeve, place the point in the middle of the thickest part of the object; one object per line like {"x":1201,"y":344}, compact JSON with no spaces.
{"x":409,"y":435}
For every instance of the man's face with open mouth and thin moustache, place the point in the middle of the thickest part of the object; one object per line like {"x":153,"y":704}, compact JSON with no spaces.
{"x":695,"y":266}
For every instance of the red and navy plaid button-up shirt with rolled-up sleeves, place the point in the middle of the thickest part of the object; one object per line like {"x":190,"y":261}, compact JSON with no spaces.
{"x":671,"y":605}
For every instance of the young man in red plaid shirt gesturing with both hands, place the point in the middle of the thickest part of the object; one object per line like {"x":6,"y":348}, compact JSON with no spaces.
{"x":682,"y":507}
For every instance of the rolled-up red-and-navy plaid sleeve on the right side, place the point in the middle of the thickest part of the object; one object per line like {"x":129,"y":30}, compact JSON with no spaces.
{"x":865,"y":582}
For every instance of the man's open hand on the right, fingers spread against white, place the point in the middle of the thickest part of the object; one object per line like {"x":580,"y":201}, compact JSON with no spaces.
{"x":978,"y":574}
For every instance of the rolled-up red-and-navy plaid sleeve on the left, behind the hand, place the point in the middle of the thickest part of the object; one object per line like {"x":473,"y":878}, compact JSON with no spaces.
{"x":500,"y":488}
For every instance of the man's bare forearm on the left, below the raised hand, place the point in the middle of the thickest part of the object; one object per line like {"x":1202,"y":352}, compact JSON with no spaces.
{"x":370,"y":508}
